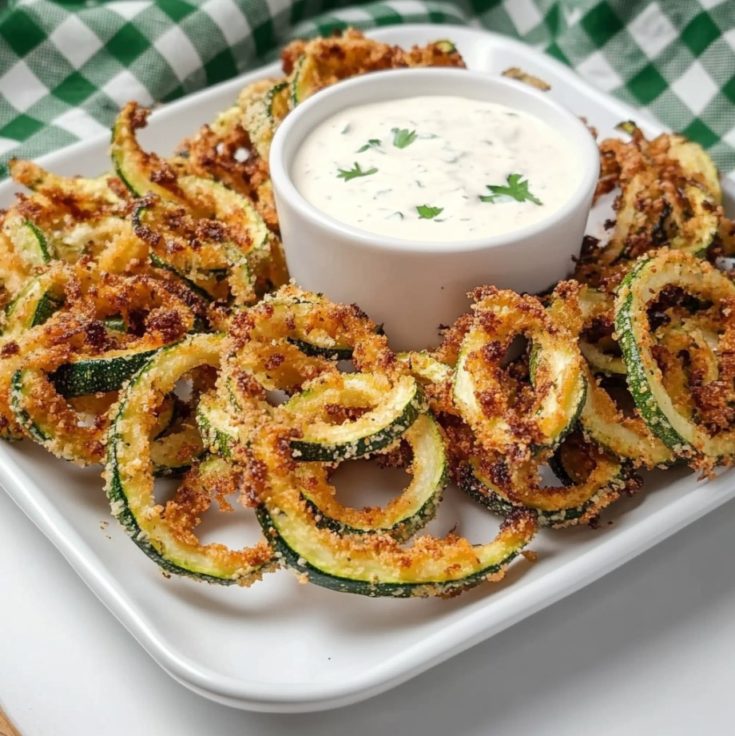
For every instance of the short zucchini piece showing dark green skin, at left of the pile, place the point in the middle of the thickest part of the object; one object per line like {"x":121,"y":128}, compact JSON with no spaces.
{"x":102,"y":373}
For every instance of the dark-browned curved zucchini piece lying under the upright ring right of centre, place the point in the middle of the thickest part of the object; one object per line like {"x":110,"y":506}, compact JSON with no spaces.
{"x":588,"y":487}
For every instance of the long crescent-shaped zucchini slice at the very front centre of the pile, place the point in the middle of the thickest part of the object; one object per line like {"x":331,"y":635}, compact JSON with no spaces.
{"x":371,"y":564}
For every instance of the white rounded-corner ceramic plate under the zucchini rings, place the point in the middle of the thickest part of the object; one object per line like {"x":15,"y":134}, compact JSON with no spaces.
{"x":281,"y":646}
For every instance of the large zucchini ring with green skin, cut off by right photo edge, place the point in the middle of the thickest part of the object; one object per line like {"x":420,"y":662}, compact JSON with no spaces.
{"x":650,"y":275}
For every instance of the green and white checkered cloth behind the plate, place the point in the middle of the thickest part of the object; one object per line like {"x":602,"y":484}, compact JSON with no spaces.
{"x":66,"y":67}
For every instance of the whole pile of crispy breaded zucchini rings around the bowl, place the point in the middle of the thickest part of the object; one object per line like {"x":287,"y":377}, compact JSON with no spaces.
{"x":149,"y":327}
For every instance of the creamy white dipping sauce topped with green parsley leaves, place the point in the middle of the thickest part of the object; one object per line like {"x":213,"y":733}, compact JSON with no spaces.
{"x":436,"y":168}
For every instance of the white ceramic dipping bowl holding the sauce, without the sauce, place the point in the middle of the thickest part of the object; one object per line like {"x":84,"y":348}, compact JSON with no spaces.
{"x":413,"y":287}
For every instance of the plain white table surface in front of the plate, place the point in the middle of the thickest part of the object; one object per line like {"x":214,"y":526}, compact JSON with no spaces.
{"x":647,"y":650}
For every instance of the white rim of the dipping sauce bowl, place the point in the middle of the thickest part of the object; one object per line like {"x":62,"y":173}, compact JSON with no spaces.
{"x":284,"y":186}
